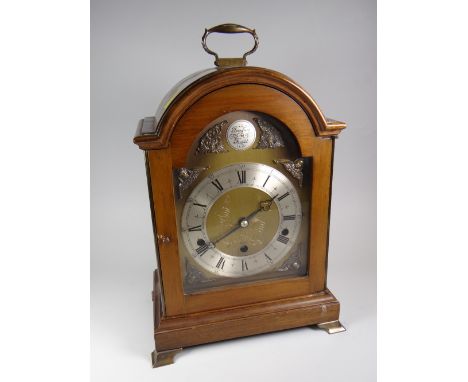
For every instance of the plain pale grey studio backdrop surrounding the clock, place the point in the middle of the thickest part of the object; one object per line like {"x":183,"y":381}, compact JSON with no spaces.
{"x":139,"y":50}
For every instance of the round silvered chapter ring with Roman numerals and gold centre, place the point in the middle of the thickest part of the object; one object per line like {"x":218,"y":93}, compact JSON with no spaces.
{"x":241,"y":220}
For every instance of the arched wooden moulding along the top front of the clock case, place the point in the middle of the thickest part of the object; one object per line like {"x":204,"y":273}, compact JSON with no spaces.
{"x":323,"y":127}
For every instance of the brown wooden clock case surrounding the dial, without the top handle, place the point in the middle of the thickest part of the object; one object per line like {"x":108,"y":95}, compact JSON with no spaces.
{"x":182,"y":320}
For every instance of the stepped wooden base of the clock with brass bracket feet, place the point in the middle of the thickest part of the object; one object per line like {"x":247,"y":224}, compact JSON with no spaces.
{"x":171,"y":334}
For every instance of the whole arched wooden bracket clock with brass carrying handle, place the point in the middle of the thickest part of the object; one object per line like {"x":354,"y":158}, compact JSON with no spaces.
{"x":239,"y":166}
